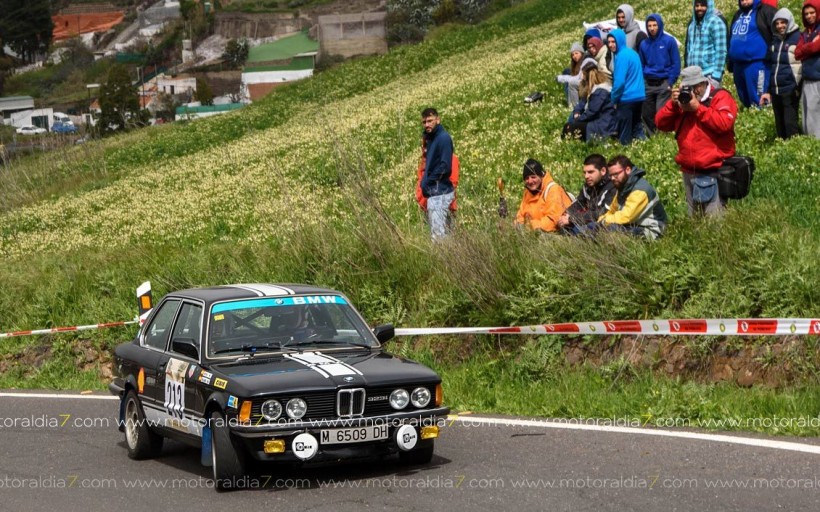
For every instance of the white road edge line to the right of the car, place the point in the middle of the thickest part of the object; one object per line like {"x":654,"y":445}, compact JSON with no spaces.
{"x":720,"y":438}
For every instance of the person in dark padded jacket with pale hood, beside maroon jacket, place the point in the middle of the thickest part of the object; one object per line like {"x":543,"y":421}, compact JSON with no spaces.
{"x":786,"y":71}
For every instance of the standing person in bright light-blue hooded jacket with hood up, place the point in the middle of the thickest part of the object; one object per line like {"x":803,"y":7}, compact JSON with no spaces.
{"x":628,"y":91}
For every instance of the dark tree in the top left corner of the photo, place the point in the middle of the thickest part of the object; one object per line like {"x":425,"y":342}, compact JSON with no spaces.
{"x":26,"y":26}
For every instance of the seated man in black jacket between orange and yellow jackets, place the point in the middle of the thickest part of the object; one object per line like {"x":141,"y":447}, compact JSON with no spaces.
{"x":594,"y":198}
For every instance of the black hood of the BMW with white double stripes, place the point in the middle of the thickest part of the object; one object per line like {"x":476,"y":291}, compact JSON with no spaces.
{"x":316,"y":371}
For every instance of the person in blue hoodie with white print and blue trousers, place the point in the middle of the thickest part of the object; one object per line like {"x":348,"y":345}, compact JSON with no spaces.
{"x":749,"y":43}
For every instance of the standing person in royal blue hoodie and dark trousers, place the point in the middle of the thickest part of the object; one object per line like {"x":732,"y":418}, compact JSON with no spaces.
{"x":661,"y":68}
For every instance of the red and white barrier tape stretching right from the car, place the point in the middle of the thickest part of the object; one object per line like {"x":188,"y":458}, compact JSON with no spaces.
{"x":720,"y":326}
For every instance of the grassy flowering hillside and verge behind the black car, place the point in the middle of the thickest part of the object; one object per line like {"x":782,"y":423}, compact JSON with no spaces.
{"x":314,"y":184}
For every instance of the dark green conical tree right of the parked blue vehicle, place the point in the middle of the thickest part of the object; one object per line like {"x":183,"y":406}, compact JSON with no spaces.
{"x":119,"y":101}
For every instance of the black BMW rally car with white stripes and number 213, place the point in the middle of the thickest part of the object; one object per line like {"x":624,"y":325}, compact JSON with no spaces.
{"x":280,"y":373}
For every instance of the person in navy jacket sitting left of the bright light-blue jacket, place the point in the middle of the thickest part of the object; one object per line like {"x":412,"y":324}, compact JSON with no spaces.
{"x":594,"y":116}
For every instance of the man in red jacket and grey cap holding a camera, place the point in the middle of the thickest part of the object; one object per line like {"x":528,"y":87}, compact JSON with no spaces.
{"x":702,"y":115}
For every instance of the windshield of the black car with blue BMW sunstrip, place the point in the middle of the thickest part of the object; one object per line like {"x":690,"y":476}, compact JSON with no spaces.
{"x":275,"y":324}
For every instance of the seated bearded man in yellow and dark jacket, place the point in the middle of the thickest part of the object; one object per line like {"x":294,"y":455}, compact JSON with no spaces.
{"x":636,"y":209}
